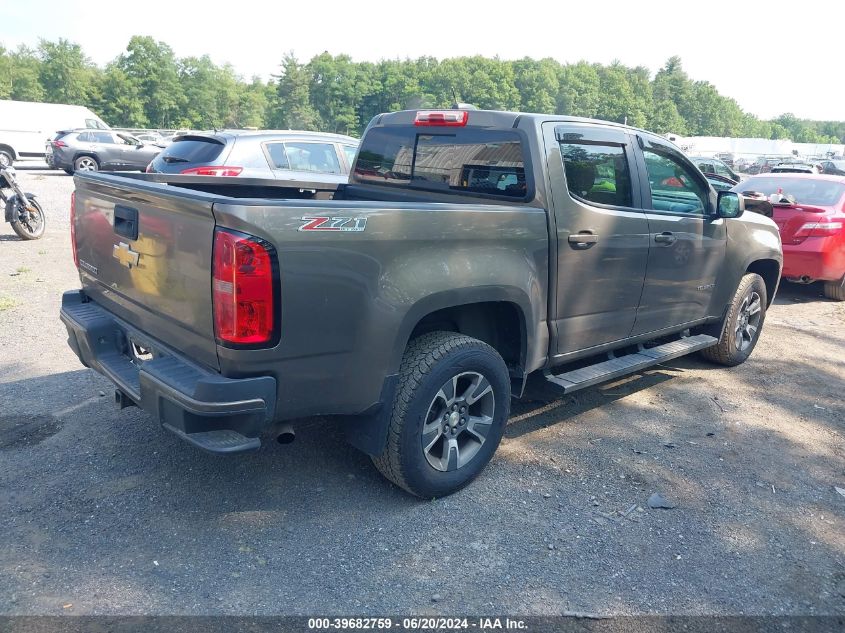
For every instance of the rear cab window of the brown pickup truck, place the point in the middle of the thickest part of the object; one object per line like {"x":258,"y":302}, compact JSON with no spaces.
{"x":466,"y":160}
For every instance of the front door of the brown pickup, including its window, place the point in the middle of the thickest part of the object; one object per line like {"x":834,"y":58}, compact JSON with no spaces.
{"x":687,"y":240}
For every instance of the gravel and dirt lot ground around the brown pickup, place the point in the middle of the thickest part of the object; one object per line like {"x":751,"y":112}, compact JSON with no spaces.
{"x":103,"y":511}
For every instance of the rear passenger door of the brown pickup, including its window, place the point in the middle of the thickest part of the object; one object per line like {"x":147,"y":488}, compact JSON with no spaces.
{"x":602,"y":234}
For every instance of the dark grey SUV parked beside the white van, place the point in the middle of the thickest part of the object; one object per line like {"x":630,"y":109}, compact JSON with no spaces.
{"x":95,"y":150}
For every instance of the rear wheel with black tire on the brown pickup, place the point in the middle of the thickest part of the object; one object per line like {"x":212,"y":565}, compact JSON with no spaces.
{"x":430,"y":363}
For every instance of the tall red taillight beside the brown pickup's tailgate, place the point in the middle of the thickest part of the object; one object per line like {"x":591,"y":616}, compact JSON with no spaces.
{"x":242,"y":289}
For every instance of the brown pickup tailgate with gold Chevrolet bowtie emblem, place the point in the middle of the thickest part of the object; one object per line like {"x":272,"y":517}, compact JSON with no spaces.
{"x":144,"y":252}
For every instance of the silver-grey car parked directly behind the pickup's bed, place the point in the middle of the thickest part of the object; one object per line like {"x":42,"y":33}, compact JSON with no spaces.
{"x":286,"y":155}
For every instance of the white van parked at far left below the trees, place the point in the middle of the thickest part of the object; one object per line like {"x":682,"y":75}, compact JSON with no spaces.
{"x":27,"y":127}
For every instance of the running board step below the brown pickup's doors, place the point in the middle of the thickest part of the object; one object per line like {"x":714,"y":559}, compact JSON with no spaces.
{"x":623,"y":365}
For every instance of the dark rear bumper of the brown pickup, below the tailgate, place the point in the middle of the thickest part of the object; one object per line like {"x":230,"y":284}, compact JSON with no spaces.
{"x":217,"y":414}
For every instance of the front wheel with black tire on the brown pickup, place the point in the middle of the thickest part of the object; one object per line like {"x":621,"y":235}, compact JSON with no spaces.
{"x":735,"y":341}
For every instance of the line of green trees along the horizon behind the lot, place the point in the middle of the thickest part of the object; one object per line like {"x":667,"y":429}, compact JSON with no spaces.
{"x":149,"y":86}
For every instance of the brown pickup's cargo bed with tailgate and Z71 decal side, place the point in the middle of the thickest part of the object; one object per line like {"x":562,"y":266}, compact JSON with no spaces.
{"x":348,"y":297}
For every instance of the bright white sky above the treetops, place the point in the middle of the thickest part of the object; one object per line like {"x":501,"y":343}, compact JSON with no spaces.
{"x":770,"y":56}
